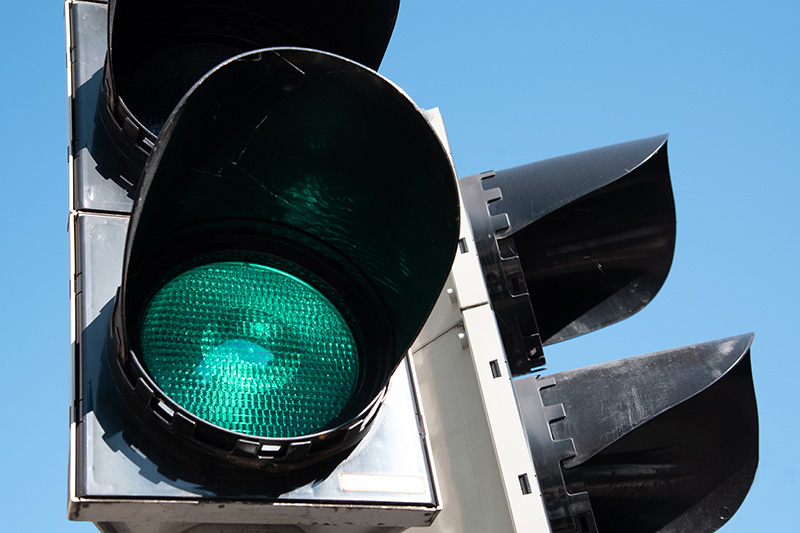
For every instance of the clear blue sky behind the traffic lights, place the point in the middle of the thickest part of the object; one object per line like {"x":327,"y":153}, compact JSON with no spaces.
{"x":516,"y":81}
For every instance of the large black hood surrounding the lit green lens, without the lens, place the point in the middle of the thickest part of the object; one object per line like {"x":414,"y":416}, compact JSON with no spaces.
{"x":313,"y":165}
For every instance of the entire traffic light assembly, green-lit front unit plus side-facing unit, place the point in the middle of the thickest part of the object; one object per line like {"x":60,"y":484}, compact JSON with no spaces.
{"x":455,"y":431}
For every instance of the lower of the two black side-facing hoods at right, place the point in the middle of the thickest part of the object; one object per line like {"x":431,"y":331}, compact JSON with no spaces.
{"x":661,"y":443}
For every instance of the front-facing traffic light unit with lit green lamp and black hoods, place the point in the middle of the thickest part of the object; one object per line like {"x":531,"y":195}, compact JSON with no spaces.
{"x":259,"y":233}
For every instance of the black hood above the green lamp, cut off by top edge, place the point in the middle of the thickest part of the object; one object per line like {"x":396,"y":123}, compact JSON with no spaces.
{"x":157,"y":50}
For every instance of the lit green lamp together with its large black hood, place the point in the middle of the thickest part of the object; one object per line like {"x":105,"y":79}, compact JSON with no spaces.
{"x":294,"y":225}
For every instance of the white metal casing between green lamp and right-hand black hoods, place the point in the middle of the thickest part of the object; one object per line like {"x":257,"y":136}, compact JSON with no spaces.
{"x":483,"y":461}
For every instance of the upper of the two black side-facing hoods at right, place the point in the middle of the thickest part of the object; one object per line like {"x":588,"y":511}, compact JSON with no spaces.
{"x":574,"y":243}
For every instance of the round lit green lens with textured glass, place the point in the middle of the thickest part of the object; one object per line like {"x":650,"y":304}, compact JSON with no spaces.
{"x":250,"y":348}
